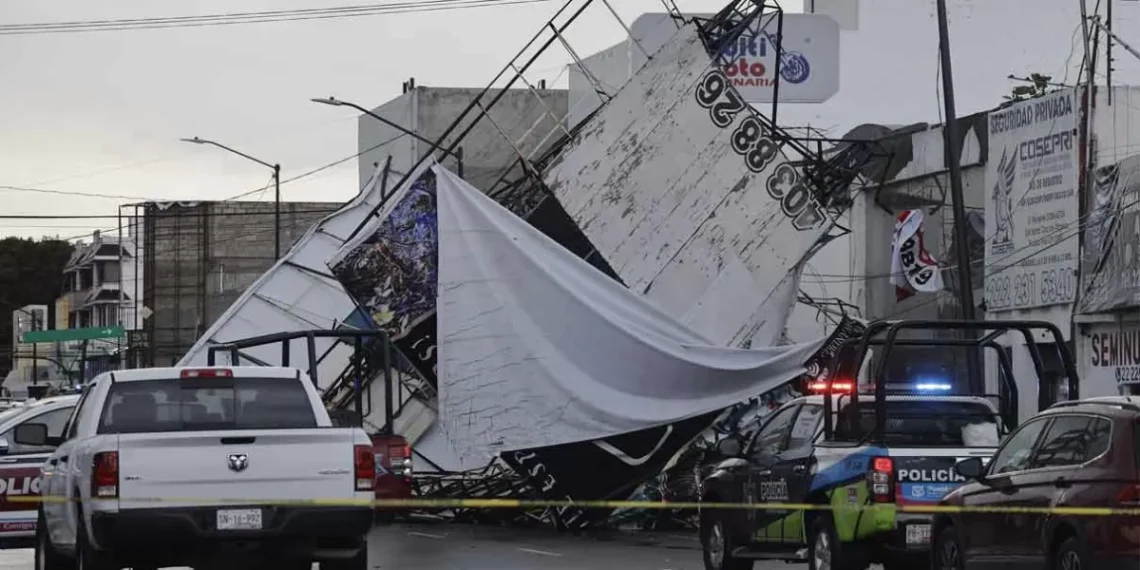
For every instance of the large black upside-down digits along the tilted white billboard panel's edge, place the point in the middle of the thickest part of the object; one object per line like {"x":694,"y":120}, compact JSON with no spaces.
{"x":750,"y":141}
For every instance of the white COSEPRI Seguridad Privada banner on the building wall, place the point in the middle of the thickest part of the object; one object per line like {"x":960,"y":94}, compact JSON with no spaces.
{"x":1032,"y":203}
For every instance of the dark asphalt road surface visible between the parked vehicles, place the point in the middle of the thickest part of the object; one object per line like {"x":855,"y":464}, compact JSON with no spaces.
{"x":422,"y":547}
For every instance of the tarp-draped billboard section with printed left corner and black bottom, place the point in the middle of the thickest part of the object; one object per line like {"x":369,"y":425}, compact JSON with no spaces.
{"x":543,"y":361}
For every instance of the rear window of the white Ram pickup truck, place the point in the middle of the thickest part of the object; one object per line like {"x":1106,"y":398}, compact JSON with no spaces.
{"x":207,"y":404}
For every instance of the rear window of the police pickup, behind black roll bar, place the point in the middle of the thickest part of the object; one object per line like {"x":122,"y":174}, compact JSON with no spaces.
{"x":924,"y":424}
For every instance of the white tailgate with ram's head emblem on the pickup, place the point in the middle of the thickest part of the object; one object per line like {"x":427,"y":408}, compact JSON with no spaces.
{"x":213,"y":468}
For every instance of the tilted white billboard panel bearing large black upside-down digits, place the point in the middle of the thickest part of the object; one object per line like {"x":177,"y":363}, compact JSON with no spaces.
{"x":693,"y":200}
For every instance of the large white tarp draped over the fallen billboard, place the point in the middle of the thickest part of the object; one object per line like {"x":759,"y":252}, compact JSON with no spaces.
{"x":538,"y":348}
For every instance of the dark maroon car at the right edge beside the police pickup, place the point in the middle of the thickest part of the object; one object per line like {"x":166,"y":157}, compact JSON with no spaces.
{"x":1076,"y":454}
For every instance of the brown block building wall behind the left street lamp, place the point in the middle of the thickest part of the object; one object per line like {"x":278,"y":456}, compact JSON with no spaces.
{"x":202,"y":256}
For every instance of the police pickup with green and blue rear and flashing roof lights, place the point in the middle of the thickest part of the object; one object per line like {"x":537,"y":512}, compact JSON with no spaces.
{"x":857,"y":486}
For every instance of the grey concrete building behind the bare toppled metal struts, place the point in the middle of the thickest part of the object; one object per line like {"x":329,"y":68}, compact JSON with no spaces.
{"x":528,"y":119}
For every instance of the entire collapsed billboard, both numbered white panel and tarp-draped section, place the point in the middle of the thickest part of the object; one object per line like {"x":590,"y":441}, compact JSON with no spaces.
{"x":549,"y":364}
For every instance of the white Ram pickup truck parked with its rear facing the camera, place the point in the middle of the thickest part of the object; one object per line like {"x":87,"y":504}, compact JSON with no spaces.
{"x":193,"y":467}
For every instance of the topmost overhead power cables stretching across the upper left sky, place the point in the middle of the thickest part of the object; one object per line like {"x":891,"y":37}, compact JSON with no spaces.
{"x":250,"y":18}
